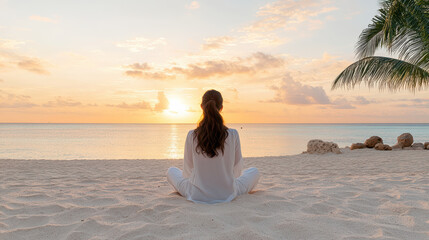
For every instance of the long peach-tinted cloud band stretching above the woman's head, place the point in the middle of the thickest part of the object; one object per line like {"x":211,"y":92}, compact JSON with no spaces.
{"x":256,"y":63}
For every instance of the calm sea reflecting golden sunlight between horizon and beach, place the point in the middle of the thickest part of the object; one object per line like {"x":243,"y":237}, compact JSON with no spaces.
{"x":166,"y":141}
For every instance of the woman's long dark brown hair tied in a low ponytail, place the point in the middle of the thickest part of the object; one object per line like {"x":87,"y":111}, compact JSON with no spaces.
{"x":211,"y":131}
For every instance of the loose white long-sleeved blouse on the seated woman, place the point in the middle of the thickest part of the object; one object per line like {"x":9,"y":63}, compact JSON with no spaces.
{"x":213,"y":180}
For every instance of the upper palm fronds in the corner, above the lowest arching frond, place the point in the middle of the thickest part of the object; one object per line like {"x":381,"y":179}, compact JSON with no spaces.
{"x":401,"y":27}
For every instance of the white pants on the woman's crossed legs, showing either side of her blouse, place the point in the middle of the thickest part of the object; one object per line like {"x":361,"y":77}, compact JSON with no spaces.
{"x":245,"y":183}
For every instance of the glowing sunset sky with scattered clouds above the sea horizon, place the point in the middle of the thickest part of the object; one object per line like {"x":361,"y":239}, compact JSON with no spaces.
{"x":147,"y":61}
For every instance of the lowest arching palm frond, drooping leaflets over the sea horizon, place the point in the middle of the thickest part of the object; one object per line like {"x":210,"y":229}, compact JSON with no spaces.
{"x":387,"y":73}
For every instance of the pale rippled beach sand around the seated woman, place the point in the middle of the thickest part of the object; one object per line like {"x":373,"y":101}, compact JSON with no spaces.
{"x":360,"y":194}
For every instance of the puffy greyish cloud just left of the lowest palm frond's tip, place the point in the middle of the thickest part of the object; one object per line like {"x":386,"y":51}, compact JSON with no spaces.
{"x":296,"y":93}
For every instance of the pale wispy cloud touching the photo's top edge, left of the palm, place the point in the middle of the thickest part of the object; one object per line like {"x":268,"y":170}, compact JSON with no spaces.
{"x":286,"y":14}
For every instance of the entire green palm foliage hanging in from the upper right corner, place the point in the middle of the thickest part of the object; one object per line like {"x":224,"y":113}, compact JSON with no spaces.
{"x":402,"y":27}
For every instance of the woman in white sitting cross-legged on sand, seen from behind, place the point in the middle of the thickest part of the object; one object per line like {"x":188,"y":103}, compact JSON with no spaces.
{"x":213,"y":161}
